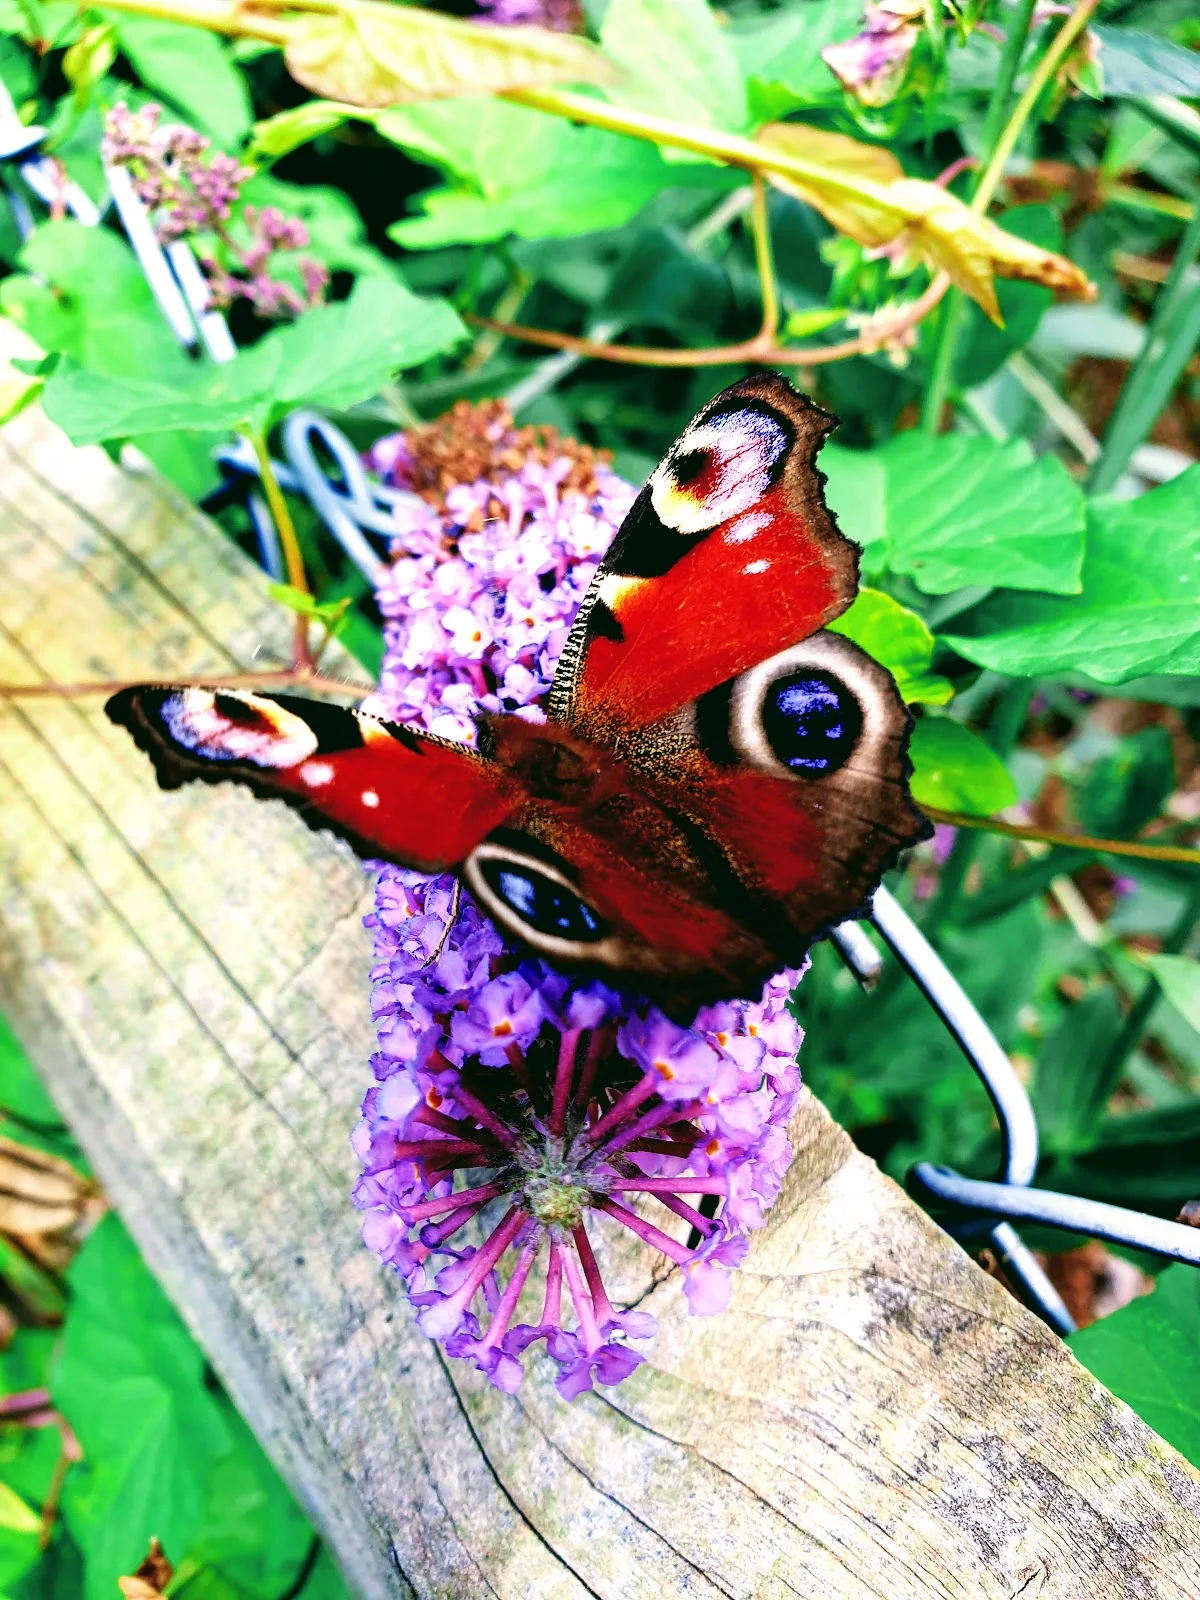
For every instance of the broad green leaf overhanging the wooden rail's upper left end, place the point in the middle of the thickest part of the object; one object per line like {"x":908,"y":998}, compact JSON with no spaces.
{"x":330,"y":358}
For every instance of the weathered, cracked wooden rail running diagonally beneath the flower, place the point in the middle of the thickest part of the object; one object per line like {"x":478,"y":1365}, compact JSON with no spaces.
{"x":871,"y":1418}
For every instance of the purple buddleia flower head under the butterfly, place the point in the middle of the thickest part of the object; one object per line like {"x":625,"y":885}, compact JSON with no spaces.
{"x":508,"y":1097}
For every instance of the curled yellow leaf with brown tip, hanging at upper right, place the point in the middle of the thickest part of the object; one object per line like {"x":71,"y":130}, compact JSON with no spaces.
{"x":863,"y":191}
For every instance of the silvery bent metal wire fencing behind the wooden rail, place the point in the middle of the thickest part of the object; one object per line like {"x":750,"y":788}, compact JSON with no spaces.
{"x":359,"y":513}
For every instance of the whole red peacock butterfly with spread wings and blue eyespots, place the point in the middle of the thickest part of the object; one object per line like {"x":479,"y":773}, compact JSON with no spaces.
{"x":719,"y":778}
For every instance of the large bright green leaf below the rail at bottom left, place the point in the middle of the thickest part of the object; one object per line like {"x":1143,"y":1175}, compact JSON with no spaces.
{"x":130,"y":1382}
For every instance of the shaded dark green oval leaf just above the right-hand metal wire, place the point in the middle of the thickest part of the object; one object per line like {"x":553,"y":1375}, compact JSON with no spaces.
{"x":1070,"y":1092}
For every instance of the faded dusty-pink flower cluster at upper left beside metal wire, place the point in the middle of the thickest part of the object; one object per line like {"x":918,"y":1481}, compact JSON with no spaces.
{"x":193,"y":193}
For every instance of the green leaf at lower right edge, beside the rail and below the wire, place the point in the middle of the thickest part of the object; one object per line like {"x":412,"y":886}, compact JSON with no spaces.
{"x":1150,"y":1356}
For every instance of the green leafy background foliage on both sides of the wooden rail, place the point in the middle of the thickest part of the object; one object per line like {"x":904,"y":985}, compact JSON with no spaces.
{"x":1031,"y":550}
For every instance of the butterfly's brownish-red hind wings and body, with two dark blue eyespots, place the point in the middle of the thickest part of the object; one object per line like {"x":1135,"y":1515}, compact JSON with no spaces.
{"x":726,"y":838}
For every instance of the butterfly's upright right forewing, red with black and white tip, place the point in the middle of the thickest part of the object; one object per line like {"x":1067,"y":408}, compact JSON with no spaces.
{"x":727,"y":556}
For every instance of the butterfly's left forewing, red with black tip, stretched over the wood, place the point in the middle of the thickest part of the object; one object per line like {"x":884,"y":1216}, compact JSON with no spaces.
{"x":388,"y":791}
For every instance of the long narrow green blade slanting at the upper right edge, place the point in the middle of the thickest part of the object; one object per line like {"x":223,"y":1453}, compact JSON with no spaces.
{"x":1169,"y":346}
